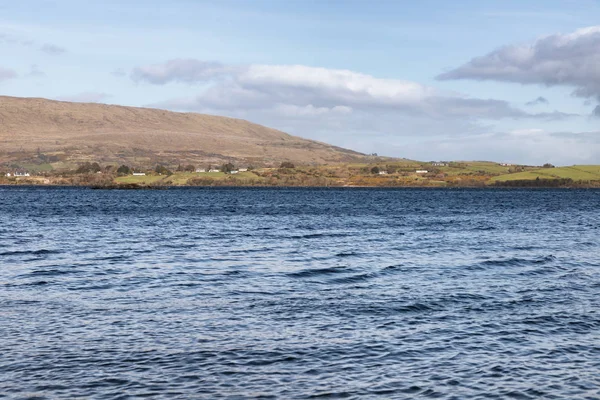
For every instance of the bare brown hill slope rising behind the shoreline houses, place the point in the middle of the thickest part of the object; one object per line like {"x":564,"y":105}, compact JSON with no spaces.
{"x":89,"y":131}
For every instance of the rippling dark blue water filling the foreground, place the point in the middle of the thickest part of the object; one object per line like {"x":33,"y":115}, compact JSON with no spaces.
{"x":239,"y":293}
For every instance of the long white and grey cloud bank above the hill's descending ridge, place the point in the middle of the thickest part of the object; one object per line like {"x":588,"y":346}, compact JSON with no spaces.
{"x":304,"y":90}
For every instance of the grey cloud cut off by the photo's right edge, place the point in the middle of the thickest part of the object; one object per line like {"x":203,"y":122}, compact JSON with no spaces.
{"x":570,"y":60}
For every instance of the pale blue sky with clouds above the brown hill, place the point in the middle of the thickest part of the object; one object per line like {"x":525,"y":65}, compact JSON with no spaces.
{"x":499,"y":80}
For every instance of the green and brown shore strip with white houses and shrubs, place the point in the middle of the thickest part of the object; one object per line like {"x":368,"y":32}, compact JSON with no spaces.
{"x":413,"y":174}
